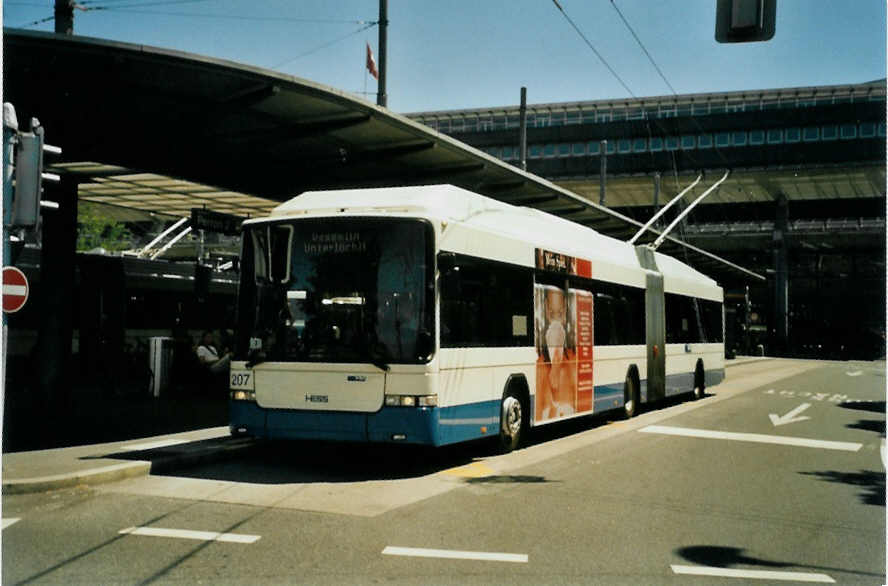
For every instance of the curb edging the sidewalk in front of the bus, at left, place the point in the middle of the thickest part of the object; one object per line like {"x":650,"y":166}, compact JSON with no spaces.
{"x":222,"y":450}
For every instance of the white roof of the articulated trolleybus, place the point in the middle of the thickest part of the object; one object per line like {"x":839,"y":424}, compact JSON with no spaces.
{"x":449,"y":203}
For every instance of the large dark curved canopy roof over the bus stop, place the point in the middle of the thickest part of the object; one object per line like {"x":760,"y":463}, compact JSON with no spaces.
{"x":164,"y":131}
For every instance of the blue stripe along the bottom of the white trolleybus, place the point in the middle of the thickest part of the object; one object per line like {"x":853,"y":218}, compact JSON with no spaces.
{"x":426,"y":426}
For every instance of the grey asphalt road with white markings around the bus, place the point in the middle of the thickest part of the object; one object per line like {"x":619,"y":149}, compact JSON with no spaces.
{"x":776,"y":476}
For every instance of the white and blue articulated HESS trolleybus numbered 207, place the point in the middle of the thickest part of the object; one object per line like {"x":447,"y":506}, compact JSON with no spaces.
{"x":433,"y":315}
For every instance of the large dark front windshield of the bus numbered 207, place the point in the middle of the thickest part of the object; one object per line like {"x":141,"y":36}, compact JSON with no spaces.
{"x":344,"y":290}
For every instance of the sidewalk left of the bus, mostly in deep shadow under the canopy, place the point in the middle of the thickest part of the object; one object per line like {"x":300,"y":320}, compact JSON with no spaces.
{"x":91,"y":436}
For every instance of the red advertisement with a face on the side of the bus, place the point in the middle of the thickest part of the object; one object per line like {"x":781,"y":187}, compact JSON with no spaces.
{"x":564,"y":322}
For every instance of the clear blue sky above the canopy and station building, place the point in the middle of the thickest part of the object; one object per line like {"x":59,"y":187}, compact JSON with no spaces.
{"x":478,"y":53}
